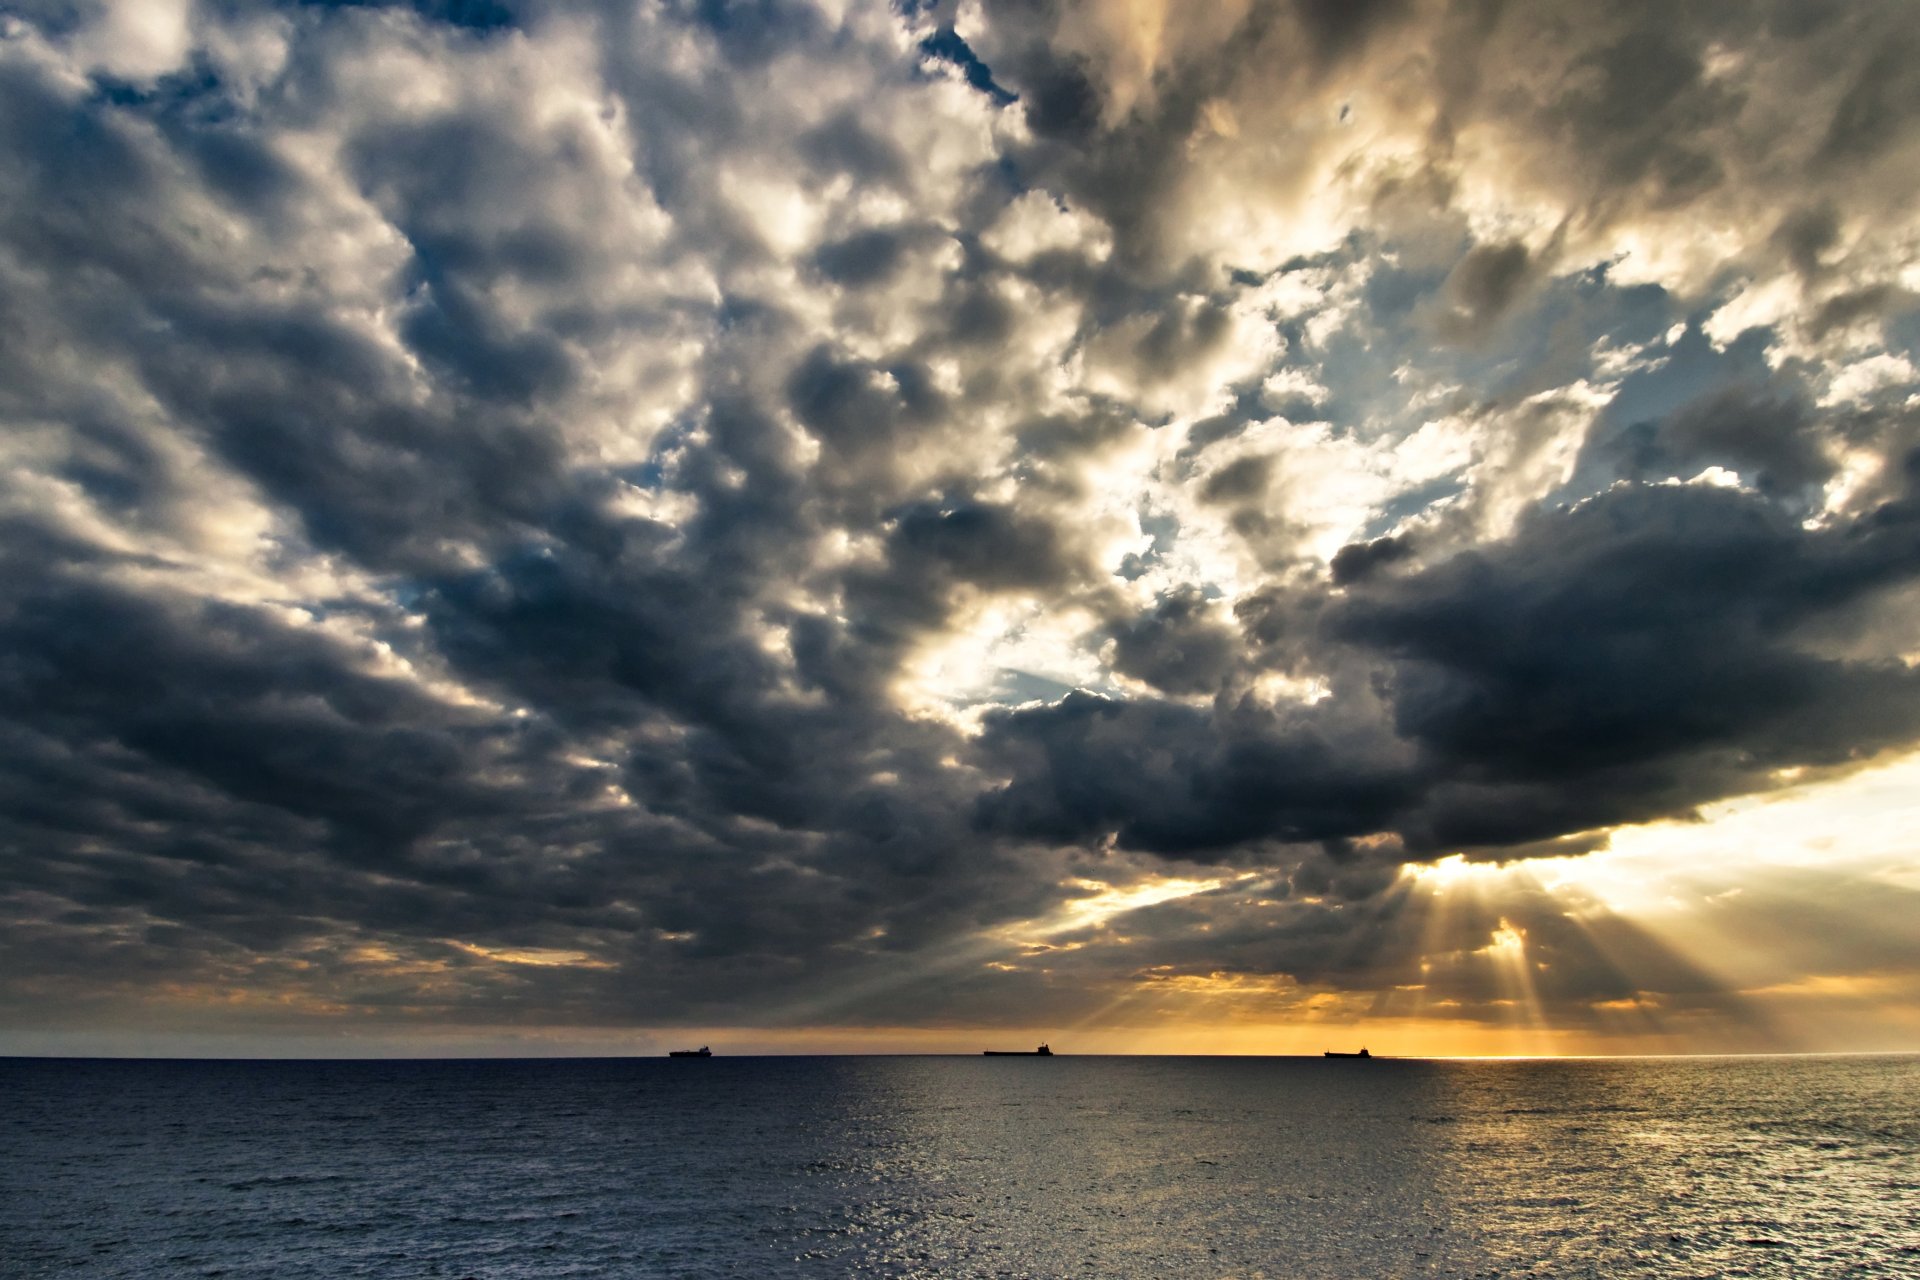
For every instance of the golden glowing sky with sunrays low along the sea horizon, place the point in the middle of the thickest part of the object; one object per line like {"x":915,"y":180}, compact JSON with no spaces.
{"x":1660,"y":895}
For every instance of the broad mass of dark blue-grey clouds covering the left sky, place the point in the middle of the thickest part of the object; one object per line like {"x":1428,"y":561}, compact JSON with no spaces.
{"x":477,"y":822}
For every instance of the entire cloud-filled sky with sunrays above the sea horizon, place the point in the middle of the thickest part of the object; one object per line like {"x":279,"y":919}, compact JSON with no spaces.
{"x":834,"y":527}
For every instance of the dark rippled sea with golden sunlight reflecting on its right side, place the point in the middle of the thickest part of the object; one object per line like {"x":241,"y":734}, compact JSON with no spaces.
{"x":961,"y":1168}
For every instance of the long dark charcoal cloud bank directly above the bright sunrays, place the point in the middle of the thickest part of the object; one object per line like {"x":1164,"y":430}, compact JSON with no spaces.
{"x":1633,"y":657}
